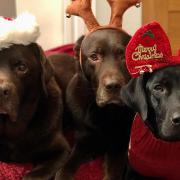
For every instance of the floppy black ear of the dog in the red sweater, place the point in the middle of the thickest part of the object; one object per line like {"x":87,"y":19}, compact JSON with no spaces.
{"x":133,"y":95}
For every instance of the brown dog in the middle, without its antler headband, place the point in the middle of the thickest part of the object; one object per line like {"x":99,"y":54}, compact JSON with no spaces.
{"x":93,"y":96}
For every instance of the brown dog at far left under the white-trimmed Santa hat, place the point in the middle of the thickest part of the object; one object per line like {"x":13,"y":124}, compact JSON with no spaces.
{"x":30,"y":112}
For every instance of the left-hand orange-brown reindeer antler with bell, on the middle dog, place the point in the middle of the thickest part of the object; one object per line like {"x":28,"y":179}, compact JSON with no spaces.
{"x":83,"y":9}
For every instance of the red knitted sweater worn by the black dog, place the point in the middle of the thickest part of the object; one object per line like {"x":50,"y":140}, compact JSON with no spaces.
{"x":153,"y":157}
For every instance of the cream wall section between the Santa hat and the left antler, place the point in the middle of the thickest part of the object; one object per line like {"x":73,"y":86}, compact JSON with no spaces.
{"x":49,"y":15}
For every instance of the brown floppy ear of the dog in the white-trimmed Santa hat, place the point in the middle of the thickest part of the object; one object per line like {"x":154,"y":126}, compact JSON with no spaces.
{"x":47,"y":71}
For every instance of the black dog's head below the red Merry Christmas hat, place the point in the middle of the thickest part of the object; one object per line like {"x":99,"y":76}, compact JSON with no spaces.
{"x":156,"y":97}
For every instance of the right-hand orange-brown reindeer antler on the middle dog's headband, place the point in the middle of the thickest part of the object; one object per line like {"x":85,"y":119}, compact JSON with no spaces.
{"x":118,"y":7}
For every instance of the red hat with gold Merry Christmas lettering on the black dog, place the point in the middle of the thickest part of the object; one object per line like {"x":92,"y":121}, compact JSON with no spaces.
{"x":148,"y":50}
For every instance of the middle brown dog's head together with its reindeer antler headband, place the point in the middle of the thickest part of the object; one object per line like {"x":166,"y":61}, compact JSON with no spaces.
{"x":102,"y":50}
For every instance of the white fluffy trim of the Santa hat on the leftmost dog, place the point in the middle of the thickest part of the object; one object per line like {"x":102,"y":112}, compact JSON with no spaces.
{"x":22,"y":30}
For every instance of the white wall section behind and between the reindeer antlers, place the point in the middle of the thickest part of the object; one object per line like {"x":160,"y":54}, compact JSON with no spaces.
{"x":75,"y":26}
